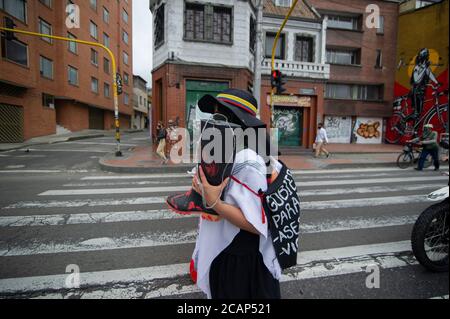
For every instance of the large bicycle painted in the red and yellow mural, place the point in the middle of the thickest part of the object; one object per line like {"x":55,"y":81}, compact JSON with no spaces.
{"x":404,"y":124}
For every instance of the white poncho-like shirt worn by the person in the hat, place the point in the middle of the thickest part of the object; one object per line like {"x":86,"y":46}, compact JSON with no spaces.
{"x":214,"y":237}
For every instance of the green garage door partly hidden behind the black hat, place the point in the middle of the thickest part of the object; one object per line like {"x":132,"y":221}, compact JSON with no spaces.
{"x":195,"y":90}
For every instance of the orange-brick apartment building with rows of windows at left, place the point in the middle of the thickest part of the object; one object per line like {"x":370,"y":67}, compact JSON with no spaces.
{"x":52,"y":86}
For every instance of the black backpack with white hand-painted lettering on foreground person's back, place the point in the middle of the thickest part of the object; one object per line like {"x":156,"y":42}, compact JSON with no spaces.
{"x":281,"y":205}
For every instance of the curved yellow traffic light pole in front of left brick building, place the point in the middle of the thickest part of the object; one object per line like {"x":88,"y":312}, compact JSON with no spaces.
{"x":114,"y":67}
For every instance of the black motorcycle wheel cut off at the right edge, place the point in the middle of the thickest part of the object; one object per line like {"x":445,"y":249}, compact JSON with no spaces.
{"x":430,"y":237}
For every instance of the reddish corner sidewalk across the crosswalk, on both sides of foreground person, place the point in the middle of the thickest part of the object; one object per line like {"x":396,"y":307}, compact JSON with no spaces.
{"x":144,"y":159}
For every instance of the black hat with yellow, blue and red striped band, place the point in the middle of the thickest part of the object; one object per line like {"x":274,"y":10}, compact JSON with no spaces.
{"x":239,"y":103}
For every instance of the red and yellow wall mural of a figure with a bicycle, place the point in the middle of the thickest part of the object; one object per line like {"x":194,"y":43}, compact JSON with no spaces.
{"x":421,"y":79}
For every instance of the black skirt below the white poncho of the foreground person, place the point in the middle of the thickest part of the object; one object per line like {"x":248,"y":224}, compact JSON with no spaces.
{"x":239,"y":272}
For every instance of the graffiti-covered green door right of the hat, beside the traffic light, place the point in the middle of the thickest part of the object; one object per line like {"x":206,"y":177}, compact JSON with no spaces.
{"x":289,"y":121}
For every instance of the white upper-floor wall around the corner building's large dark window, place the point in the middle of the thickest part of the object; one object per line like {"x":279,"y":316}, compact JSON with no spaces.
{"x":235,"y":55}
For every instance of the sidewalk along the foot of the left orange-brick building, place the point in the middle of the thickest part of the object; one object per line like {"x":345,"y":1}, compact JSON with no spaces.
{"x":52,"y":139}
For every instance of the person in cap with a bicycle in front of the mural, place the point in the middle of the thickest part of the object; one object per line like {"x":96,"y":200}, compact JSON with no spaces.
{"x":430,"y":146}
